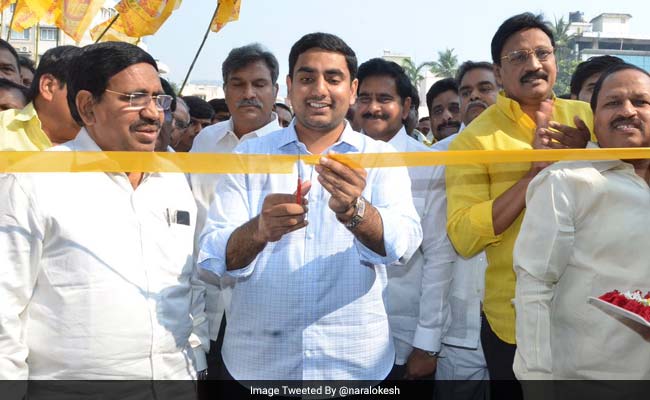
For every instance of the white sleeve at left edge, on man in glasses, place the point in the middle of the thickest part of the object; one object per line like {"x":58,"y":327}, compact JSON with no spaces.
{"x":21,"y":243}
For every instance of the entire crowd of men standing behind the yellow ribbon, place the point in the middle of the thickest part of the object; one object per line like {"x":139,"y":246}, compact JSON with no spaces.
{"x":466,"y":274}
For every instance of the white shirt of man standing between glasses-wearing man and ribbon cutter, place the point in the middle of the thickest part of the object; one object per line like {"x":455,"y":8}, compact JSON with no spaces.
{"x":217,"y":138}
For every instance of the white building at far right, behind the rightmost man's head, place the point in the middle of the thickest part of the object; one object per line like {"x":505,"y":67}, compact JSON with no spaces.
{"x":608,"y":34}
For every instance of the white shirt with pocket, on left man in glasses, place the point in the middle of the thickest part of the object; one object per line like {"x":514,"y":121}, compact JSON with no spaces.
{"x":97,"y":278}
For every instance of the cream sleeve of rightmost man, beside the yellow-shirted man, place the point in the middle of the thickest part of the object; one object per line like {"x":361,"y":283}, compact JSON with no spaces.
{"x":541,"y":255}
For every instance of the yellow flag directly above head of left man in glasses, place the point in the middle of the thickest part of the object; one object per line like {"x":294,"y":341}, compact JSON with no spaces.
{"x":137,"y":18}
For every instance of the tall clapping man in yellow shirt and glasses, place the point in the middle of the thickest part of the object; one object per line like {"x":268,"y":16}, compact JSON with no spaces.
{"x":486,"y":202}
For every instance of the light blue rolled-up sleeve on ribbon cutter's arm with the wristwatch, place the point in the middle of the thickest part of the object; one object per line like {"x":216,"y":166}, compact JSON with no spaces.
{"x":391,"y":196}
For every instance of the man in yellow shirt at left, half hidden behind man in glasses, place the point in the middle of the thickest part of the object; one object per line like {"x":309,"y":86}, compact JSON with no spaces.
{"x":46,"y":120}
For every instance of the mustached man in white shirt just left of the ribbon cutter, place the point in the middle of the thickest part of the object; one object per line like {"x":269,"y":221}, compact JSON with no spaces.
{"x":250,"y":75}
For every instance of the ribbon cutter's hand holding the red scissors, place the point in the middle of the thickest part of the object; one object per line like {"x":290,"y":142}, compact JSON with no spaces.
{"x":280,"y":215}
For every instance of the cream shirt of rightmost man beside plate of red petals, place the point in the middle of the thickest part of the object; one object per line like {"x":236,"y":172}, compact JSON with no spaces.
{"x":585,"y":233}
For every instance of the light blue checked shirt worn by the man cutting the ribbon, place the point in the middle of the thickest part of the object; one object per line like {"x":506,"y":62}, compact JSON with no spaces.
{"x":310,"y":306}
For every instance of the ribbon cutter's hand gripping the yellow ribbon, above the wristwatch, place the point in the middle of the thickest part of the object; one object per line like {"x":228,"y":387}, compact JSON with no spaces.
{"x":345,"y":185}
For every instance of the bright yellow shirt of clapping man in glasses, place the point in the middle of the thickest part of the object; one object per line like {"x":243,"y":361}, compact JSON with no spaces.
{"x":472,"y":188}
